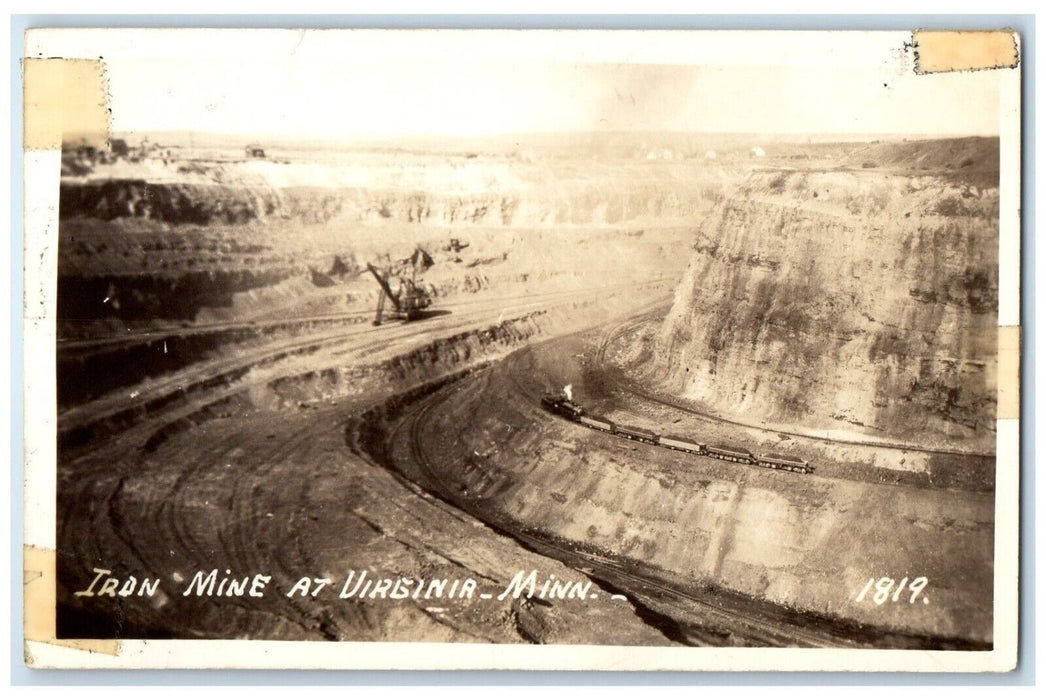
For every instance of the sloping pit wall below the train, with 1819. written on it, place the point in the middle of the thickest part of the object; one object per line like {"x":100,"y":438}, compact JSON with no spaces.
{"x":801,"y":541}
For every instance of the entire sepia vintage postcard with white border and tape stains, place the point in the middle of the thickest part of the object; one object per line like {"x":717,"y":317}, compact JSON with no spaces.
{"x":522,"y":350}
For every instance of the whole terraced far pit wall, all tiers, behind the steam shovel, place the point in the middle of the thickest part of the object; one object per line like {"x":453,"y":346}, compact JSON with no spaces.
{"x":220,"y":238}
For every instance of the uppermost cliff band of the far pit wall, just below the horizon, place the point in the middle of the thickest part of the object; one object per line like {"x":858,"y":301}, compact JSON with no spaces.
{"x":532,"y":197}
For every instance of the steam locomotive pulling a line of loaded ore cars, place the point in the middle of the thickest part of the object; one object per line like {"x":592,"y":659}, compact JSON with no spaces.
{"x":569,"y":409}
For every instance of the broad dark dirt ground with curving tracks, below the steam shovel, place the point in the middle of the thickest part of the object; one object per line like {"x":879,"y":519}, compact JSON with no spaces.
{"x":248,"y":484}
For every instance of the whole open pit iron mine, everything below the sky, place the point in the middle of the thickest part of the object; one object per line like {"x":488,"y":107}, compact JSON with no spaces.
{"x":573,"y":397}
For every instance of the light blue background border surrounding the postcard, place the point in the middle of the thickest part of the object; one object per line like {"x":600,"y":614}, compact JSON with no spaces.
{"x":1024,"y":24}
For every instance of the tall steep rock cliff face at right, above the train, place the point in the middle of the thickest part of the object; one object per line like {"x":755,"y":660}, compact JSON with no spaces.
{"x":862,"y":302}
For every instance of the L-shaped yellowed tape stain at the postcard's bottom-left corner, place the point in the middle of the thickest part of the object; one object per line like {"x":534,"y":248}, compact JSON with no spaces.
{"x":40,"y":606}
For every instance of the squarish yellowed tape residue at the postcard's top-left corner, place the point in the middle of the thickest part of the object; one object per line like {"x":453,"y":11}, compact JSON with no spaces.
{"x":65,"y":102}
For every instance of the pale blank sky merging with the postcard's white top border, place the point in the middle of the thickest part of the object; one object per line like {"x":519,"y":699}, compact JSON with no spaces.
{"x":326,"y":84}
